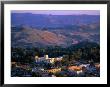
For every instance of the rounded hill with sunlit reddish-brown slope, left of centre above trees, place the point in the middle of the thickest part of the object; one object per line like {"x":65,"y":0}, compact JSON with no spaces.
{"x":34,"y":37}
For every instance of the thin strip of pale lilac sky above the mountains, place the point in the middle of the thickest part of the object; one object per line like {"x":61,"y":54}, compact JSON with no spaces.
{"x":59,"y":12}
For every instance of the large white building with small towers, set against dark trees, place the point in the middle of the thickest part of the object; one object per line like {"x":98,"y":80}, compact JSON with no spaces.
{"x":47,"y":59}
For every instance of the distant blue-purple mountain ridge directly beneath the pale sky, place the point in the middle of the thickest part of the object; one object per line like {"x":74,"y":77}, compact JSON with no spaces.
{"x":42,"y":20}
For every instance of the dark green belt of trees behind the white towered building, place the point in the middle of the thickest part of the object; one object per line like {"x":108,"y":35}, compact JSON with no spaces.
{"x":87,"y":51}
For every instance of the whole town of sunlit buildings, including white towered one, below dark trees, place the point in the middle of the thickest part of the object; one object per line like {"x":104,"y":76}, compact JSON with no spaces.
{"x":53,"y":67}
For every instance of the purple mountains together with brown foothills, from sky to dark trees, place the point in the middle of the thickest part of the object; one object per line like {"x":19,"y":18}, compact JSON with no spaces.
{"x":39,"y":30}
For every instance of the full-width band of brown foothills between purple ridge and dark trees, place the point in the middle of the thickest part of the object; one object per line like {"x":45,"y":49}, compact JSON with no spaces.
{"x":32,"y":37}
